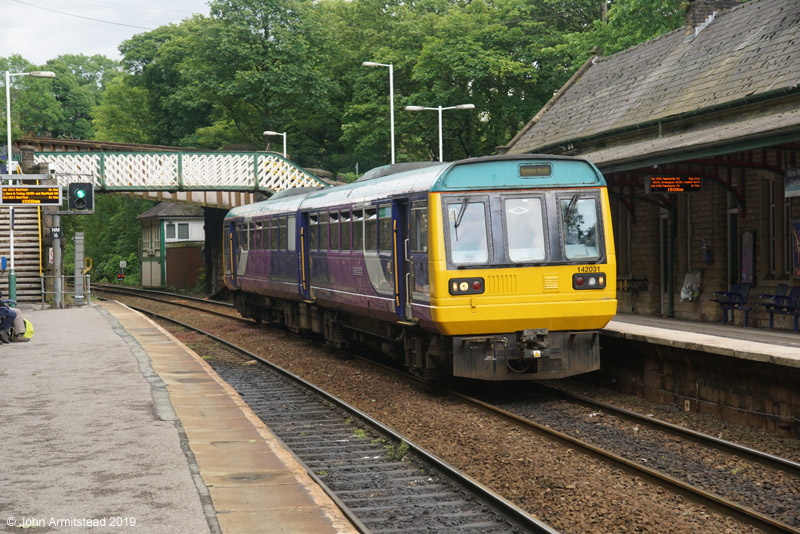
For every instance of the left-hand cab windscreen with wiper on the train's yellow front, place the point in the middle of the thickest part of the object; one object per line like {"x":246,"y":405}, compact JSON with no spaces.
{"x":469,"y":240}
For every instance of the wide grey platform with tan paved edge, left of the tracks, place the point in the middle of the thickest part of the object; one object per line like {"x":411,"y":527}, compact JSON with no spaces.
{"x":110,"y":424}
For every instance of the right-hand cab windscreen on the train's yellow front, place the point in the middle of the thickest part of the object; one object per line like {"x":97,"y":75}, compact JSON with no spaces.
{"x":579,"y":223}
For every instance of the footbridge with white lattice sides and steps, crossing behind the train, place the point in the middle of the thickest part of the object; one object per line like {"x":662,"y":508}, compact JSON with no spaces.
{"x":216,"y":180}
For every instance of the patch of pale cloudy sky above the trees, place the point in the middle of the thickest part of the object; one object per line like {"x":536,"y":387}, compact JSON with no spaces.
{"x":39,"y":30}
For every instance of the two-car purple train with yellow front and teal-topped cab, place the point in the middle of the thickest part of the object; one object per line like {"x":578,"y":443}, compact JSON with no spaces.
{"x":496,"y":268}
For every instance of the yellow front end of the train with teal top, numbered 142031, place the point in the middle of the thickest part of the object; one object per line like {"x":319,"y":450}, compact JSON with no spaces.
{"x":522,"y":269}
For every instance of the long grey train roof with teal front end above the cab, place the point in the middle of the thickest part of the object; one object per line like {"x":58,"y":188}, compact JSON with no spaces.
{"x":491,"y":172}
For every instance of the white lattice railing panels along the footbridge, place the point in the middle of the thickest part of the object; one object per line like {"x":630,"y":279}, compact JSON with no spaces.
{"x":180,"y":171}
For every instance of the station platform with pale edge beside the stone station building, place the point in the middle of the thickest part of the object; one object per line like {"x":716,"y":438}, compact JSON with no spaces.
{"x":778,"y":347}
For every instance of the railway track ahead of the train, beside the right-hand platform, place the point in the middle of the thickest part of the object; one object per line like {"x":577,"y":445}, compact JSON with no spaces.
{"x":626,"y":453}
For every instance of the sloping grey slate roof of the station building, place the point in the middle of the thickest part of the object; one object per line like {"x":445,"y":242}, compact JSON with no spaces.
{"x":747,"y":51}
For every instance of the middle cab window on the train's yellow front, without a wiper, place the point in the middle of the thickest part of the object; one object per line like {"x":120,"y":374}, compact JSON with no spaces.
{"x":524,"y":229}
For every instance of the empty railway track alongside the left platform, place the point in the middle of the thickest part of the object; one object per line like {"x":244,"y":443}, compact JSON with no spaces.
{"x":383,"y":482}
